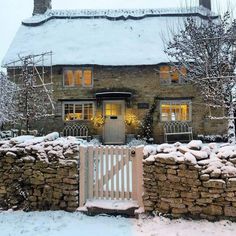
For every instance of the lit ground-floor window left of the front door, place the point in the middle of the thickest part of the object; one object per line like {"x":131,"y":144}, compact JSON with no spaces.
{"x":78,"y":111}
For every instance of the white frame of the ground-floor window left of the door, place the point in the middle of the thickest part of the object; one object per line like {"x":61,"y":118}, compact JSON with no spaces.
{"x":77,"y":103}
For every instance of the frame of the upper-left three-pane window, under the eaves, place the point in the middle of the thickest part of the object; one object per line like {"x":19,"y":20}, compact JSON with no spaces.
{"x":73,"y":69}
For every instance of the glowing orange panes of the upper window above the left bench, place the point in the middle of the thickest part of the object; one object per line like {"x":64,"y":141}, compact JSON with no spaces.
{"x":78,"y":78}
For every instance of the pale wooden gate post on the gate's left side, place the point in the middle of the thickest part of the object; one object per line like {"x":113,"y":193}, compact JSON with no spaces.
{"x":83,"y":180}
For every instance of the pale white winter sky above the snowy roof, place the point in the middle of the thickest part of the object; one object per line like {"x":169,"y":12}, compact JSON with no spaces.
{"x":12,"y":12}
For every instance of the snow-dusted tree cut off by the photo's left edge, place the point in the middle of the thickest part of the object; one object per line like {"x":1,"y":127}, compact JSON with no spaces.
{"x":7,"y":104}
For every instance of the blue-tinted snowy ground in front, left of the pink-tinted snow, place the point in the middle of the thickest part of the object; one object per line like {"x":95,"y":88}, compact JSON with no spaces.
{"x":61,"y":223}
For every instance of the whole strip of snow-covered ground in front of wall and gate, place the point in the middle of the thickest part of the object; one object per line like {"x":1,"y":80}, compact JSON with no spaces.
{"x":61,"y":223}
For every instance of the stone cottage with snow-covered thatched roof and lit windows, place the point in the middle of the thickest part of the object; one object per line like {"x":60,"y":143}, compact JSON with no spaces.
{"x":109,"y":67}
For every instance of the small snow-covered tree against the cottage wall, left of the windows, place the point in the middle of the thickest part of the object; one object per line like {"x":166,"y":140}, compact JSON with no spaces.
{"x":34,"y":96}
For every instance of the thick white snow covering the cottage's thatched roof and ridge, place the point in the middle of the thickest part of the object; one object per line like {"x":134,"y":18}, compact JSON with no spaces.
{"x":88,"y":37}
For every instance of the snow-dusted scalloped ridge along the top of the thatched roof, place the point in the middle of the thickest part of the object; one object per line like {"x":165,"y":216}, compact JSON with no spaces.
{"x":116,"y":14}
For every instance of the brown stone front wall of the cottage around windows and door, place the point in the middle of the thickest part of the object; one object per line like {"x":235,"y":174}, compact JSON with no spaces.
{"x":144,"y":83}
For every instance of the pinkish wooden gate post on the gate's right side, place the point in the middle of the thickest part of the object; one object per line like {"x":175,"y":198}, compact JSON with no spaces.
{"x":137,"y":175}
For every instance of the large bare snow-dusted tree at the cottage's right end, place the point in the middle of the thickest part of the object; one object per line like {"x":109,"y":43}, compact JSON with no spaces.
{"x":206,"y":48}
